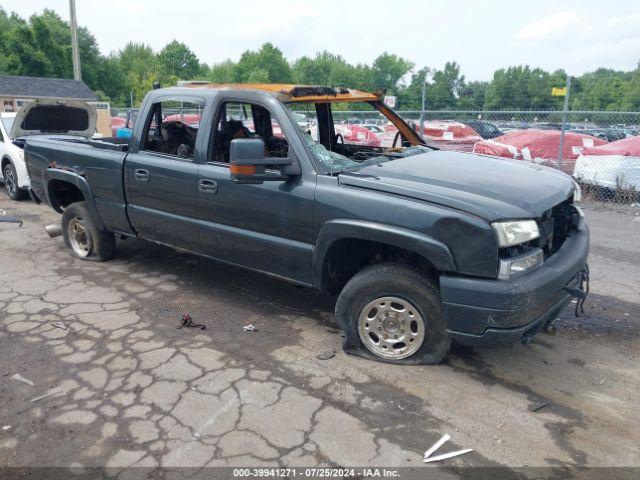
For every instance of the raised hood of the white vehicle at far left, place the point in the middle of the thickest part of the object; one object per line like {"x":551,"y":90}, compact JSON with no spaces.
{"x":45,"y":117}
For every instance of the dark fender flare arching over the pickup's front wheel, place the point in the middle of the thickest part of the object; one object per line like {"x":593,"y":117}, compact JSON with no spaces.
{"x":421,"y":244}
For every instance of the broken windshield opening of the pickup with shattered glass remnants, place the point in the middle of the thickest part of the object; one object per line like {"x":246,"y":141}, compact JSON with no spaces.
{"x":341,"y":142}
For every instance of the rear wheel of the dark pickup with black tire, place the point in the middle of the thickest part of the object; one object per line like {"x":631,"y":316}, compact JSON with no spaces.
{"x":101,"y":245}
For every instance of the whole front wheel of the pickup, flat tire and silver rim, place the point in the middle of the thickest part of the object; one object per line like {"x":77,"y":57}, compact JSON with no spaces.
{"x":392,"y":312}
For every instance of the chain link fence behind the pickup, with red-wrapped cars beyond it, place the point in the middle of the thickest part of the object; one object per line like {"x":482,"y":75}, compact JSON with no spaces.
{"x":600,"y":149}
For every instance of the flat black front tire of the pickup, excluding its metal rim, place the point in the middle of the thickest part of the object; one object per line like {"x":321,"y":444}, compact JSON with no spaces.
{"x":406,"y":283}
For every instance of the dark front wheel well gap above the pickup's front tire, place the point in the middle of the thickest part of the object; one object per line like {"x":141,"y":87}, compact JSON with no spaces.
{"x":348,"y":256}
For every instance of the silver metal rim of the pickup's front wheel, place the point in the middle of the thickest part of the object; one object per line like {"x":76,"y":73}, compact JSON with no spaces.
{"x":391,"y":327}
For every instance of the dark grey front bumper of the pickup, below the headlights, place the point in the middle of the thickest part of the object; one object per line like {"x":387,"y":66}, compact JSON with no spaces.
{"x":480,"y":311}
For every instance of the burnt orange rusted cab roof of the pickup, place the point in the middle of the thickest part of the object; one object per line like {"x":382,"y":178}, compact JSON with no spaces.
{"x":292,"y":93}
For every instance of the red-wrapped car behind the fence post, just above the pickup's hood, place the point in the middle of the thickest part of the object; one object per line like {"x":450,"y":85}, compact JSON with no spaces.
{"x":538,"y":146}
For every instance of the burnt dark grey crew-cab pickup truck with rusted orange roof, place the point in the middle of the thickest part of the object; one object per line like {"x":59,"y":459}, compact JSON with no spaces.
{"x":423,"y":247}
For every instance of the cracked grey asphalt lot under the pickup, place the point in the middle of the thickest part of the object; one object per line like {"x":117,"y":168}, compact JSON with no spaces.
{"x":120,"y":385}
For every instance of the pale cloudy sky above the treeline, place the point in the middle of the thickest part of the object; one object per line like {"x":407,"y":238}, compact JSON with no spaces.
{"x":482,"y":36}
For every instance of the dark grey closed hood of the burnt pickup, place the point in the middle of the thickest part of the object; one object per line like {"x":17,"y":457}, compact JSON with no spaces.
{"x":489,"y":187}
